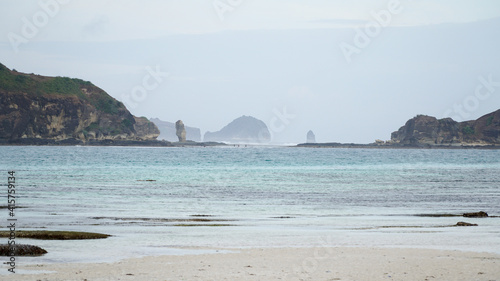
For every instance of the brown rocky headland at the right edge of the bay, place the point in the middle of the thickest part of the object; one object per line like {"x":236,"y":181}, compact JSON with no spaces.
{"x":427,"y":130}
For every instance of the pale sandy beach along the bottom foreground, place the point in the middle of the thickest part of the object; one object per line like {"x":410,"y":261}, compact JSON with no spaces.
{"x":284,"y":264}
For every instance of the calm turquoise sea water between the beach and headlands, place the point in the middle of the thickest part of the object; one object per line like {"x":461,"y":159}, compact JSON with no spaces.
{"x":167,"y":200}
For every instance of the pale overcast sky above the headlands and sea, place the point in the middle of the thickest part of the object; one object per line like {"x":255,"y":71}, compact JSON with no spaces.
{"x":351,"y":71}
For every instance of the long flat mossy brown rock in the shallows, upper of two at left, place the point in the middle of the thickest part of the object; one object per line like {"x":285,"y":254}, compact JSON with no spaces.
{"x":55,"y":235}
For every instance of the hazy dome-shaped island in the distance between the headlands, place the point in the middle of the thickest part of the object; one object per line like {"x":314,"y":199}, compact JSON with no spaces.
{"x":245,"y":129}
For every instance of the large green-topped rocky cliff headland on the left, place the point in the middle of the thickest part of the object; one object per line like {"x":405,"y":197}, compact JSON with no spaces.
{"x":58,"y":108}
